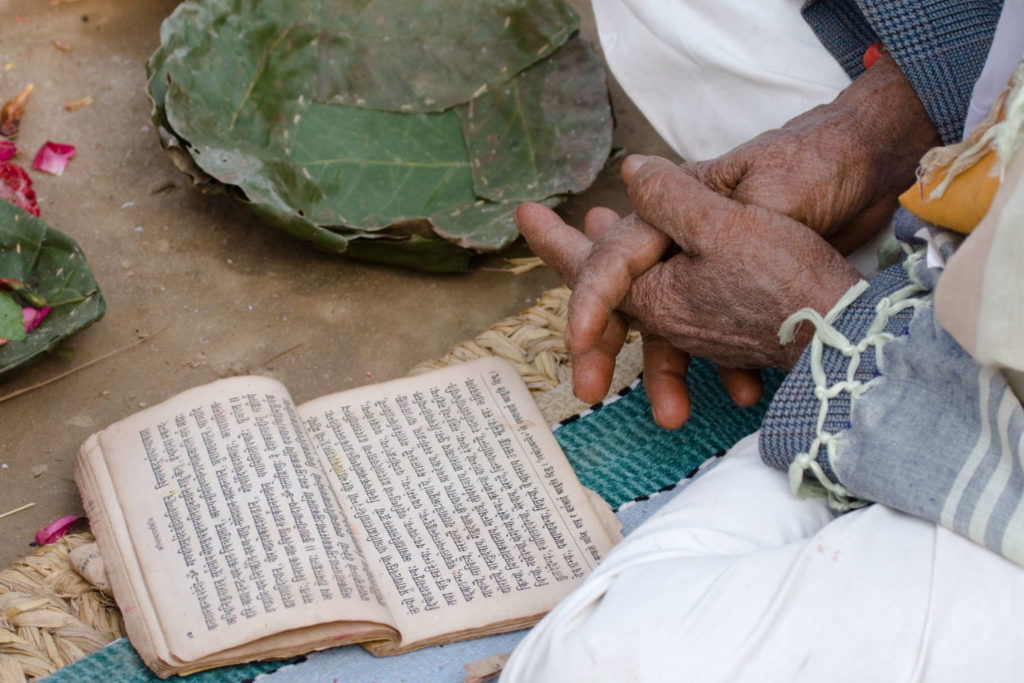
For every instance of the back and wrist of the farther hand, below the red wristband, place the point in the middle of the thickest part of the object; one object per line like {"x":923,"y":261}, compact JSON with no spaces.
{"x":838,"y":168}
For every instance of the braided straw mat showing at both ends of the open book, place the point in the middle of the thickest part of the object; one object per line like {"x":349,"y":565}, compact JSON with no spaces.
{"x":51,"y":617}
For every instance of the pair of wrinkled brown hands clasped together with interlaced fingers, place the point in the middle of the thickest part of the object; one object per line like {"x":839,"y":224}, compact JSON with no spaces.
{"x":719,"y":253}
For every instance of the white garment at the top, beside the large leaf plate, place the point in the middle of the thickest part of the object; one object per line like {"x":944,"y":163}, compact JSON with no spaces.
{"x":712,"y":75}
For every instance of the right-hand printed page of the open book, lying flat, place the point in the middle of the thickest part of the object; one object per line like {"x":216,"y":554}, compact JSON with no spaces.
{"x":461,"y":498}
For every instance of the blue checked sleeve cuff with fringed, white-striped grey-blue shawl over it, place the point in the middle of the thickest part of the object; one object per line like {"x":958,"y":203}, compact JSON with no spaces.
{"x":919,"y":426}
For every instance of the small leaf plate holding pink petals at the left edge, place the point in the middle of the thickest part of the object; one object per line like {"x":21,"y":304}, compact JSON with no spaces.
{"x":53,"y":268}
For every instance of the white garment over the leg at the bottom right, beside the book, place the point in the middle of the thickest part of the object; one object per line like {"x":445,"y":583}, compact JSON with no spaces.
{"x":738,"y":581}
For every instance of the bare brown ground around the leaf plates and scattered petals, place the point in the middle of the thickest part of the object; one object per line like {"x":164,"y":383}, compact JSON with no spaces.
{"x":220,"y":293}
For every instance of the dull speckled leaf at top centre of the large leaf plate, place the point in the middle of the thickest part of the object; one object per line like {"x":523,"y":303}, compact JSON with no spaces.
{"x":429,"y":57}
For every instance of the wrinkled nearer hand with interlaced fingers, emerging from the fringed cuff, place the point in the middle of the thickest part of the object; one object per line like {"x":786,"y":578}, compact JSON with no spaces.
{"x":742,"y":271}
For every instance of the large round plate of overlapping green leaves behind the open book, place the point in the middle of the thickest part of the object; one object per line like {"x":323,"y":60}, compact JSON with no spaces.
{"x":235,"y":90}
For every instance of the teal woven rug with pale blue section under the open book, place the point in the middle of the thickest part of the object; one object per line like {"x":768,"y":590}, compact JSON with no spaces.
{"x":616,"y":449}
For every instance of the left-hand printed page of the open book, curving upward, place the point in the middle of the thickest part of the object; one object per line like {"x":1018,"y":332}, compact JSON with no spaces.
{"x":237,"y":530}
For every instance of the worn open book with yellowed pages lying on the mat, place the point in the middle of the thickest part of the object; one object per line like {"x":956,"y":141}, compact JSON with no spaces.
{"x":236,"y":526}
